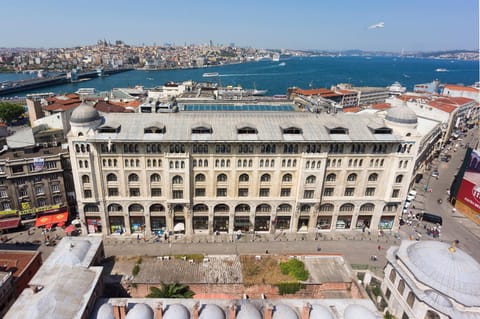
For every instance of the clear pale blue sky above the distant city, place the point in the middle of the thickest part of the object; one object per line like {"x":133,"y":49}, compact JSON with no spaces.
{"x":411,"y":25}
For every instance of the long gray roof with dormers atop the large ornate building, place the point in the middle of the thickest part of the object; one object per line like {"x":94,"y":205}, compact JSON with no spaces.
{"x":314,"y":127}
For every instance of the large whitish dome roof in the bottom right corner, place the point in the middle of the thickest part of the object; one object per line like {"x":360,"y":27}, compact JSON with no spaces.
{"x":452,"y":272}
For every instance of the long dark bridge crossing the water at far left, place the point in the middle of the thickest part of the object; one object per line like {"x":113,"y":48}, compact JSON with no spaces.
{"x":31,"y":84}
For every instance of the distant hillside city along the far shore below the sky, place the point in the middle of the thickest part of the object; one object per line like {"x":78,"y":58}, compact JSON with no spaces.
{"x":168,"y":56}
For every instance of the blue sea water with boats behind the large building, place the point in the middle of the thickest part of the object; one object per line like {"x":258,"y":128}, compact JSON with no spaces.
{"x":302,"y":72}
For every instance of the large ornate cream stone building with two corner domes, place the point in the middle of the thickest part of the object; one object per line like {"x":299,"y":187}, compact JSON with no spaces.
{"x":206,"y":172}
